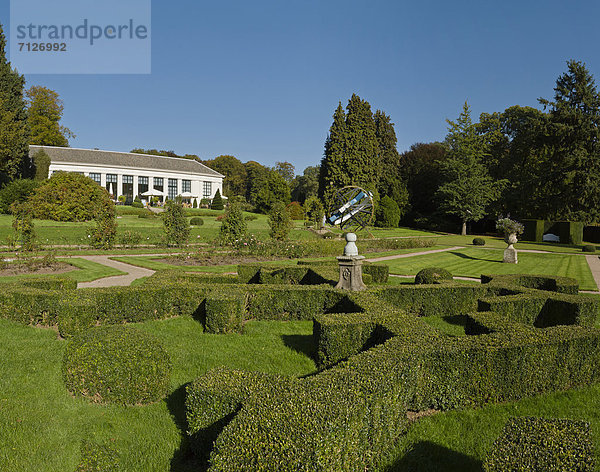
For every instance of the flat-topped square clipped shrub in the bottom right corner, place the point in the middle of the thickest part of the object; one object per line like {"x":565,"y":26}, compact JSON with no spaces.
{"x":551,"y":445}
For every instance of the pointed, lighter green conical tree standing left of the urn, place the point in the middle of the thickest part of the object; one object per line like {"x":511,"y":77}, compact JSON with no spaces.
{"x":467,"y":187}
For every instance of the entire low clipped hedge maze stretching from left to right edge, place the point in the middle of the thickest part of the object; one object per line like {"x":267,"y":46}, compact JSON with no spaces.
{"x":378,"y":357}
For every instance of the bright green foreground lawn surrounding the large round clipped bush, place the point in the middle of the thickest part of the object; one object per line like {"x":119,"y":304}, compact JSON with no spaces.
{"x":42,"y":425}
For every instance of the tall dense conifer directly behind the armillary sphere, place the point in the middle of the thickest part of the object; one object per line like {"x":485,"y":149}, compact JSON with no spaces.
{"x":351,"y":150}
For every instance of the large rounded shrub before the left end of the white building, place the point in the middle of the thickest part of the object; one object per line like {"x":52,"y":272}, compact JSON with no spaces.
{"x":68,"y":196}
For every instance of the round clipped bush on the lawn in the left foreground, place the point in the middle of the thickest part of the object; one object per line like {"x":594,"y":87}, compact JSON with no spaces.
{"x":117,"y":364}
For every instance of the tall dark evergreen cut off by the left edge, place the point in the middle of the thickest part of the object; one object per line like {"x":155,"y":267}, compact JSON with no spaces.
{"x":14,"y":130}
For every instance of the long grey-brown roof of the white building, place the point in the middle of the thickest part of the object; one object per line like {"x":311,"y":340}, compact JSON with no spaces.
{"x":64,"y":155}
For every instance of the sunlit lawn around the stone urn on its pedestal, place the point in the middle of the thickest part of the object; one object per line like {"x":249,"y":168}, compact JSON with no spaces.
{"x":472,"y":262}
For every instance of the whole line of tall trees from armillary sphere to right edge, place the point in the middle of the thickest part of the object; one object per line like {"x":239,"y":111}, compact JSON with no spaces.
{"x":525,"y":162}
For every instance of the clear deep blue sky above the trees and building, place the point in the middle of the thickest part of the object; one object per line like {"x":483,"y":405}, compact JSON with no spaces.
{"x":261,"y":79}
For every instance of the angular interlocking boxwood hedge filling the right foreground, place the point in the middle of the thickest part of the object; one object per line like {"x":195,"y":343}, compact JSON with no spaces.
{"x":383,"y":357}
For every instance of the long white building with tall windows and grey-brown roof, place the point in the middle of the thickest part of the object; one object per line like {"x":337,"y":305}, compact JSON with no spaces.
{"x":130,"y":174}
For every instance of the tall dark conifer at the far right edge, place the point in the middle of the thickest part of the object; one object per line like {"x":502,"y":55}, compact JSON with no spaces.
{"x":573,"y":170}
